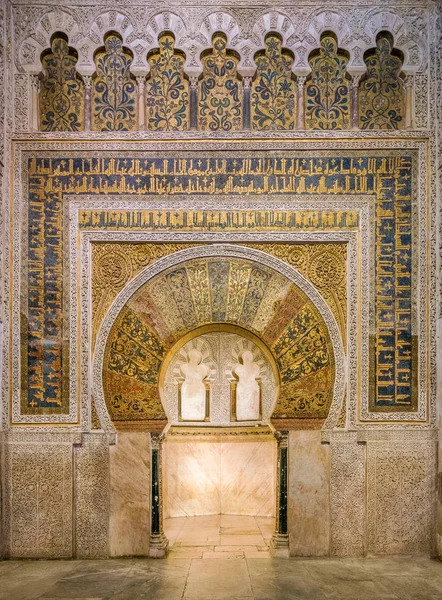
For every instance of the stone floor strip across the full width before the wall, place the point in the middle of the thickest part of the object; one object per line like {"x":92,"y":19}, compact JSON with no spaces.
{"x":411,"y":578}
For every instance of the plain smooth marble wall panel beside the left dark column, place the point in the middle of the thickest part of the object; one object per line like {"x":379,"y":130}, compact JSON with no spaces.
{"x":129,"y":523}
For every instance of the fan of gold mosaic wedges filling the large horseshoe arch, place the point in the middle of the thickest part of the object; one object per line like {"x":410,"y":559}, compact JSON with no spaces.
{"x":220,"y":290}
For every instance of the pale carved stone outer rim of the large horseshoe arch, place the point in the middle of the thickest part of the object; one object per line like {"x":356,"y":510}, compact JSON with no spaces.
{"x":218,"y":251}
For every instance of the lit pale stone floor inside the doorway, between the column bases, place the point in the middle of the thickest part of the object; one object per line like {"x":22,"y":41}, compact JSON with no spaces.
{"x":219,"y":536}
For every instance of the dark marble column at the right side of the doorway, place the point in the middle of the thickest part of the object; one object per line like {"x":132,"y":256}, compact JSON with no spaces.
{"x":280,"y":539}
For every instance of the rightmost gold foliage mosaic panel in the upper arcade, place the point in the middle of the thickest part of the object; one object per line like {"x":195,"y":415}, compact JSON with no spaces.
{"x":381,"y":96}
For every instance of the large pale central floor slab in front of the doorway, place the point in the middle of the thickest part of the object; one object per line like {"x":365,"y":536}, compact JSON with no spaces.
{"x":218,"y":579}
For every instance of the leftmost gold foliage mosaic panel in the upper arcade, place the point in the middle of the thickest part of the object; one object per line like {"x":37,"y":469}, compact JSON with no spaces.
{"x":61,"y":89}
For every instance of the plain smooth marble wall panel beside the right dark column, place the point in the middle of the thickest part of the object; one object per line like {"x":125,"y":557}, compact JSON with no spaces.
{"x":309,"y":494}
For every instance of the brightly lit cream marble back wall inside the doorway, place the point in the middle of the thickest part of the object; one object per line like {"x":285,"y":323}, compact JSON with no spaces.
{"x":208,"y":476}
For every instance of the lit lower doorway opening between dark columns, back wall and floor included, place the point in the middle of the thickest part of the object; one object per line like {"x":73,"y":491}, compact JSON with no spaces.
{"x":219,"y":494}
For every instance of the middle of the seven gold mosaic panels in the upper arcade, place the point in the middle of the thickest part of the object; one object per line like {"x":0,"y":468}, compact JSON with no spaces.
{"x":220,"y":91}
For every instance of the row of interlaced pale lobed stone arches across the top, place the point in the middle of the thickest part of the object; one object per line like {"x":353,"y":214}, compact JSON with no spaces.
{"x":300,"y":38}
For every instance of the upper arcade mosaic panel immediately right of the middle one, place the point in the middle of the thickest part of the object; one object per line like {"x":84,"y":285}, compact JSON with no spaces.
{"x":273,"y":103}
